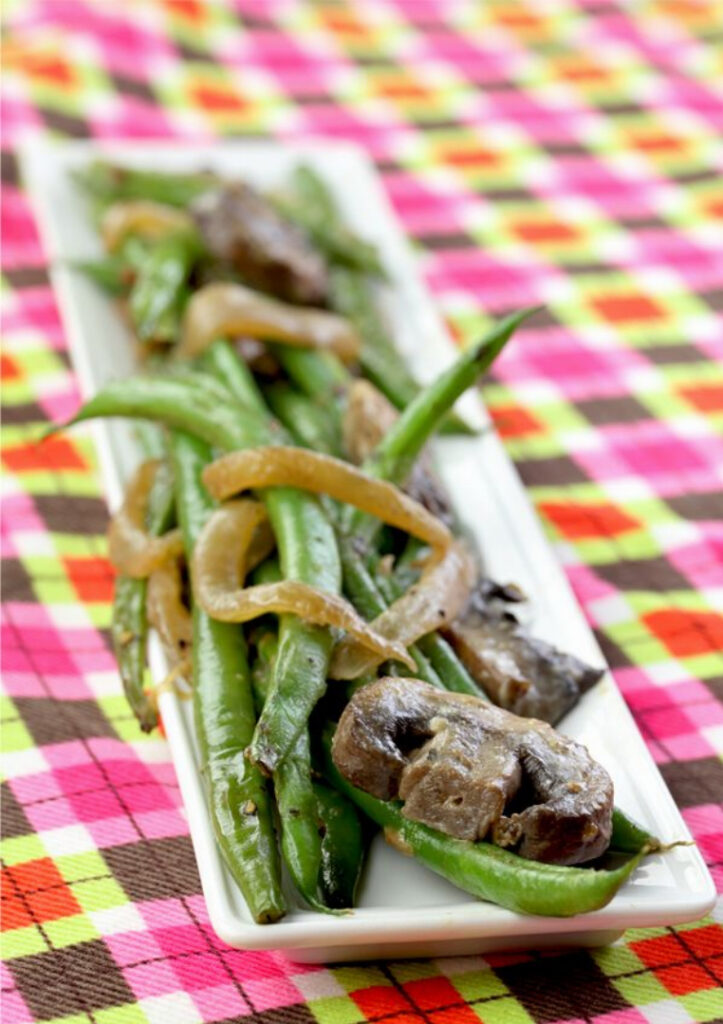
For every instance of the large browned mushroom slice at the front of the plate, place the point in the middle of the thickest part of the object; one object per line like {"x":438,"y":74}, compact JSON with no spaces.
{"x":476,"y":772}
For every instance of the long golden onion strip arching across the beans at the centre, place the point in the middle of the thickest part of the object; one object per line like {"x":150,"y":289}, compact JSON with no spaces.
{"x":282,"y":466}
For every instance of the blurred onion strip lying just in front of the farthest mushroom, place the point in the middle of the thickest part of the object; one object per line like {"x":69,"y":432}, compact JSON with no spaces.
{"x":228,"y":310}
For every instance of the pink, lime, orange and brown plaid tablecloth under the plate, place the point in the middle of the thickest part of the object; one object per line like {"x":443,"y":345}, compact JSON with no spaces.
{"x":537,"y":152}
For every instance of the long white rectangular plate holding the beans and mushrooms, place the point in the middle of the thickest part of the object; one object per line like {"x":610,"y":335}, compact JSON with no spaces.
{"x":405,"y":910}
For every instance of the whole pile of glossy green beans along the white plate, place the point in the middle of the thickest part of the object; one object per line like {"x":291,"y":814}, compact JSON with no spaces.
{"x":260,"y":708}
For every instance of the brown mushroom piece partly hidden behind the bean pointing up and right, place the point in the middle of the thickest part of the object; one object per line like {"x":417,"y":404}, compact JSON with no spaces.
{"x":369,"y":416}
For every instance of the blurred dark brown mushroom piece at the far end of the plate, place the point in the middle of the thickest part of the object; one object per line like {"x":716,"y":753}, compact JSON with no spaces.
{"x":242,"y":228}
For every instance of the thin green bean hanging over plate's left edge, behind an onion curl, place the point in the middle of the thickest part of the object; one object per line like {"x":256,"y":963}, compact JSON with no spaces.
{"x":130,"y":624}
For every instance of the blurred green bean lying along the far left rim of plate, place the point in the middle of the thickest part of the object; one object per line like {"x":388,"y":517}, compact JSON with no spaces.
{"x":110,"y":184}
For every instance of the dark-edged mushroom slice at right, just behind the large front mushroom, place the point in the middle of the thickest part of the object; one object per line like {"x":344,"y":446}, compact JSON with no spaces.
{"x":518,"y":671}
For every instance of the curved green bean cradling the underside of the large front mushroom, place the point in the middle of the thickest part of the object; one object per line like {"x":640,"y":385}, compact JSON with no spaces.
{"x":489,"y":872}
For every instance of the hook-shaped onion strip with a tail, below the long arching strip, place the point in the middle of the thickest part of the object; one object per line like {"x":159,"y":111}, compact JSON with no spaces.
{"x":220,"y":564}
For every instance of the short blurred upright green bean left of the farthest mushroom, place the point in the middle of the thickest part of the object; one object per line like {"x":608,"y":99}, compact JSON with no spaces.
{"x":160,"y":291}
